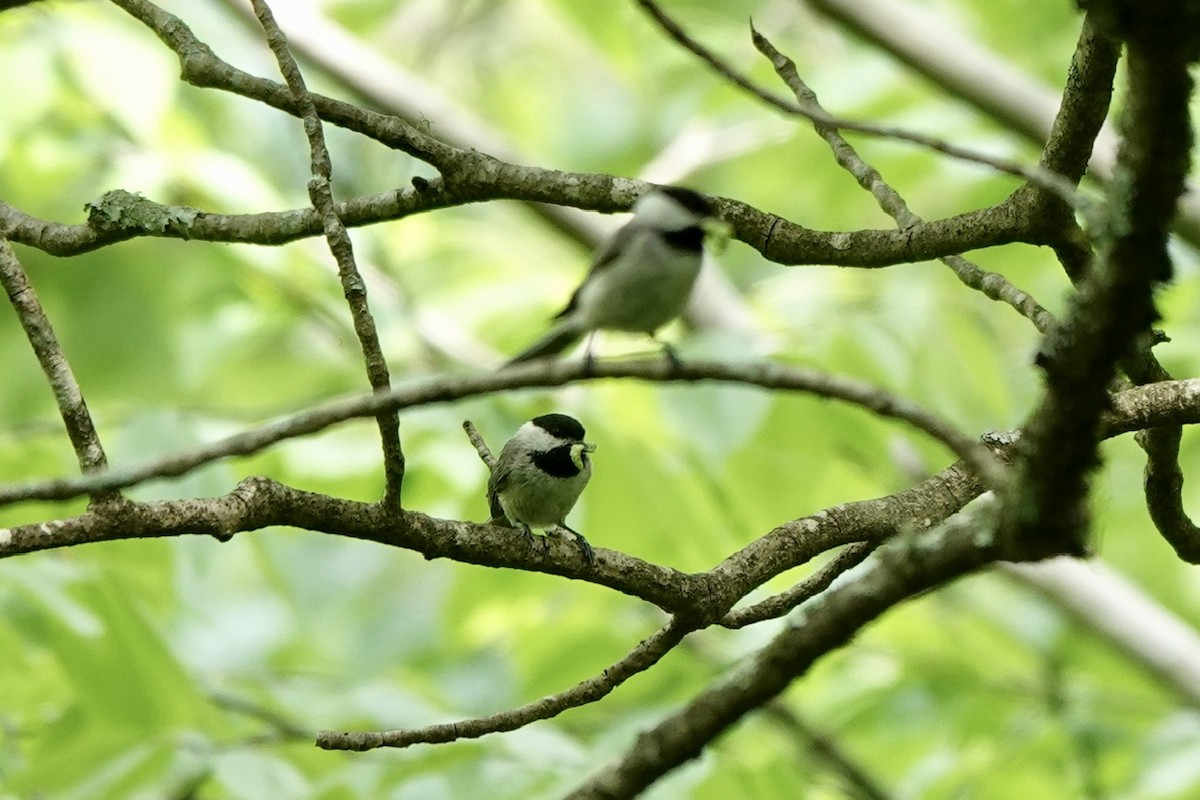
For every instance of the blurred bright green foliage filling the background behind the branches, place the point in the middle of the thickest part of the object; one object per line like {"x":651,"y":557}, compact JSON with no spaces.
{"x":195,"y":670}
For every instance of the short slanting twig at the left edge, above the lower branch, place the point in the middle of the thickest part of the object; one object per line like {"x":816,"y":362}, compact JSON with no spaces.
{"x":68,"y":394}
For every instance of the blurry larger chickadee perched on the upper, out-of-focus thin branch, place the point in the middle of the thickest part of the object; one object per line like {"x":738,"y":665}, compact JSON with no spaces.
{"x":643,"y":279}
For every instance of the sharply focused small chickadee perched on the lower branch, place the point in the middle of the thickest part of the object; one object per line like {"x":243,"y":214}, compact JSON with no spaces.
{"x":539,"y":477}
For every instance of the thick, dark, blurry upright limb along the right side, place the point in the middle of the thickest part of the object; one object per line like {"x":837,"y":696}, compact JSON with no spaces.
{"x":1115,"y":303}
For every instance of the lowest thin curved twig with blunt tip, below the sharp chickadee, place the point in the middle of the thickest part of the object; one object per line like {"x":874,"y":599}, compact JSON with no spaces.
{"x":647,"y":654}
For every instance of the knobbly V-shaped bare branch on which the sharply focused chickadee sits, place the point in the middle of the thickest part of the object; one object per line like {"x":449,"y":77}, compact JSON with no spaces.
{"x":704,"y":598}
